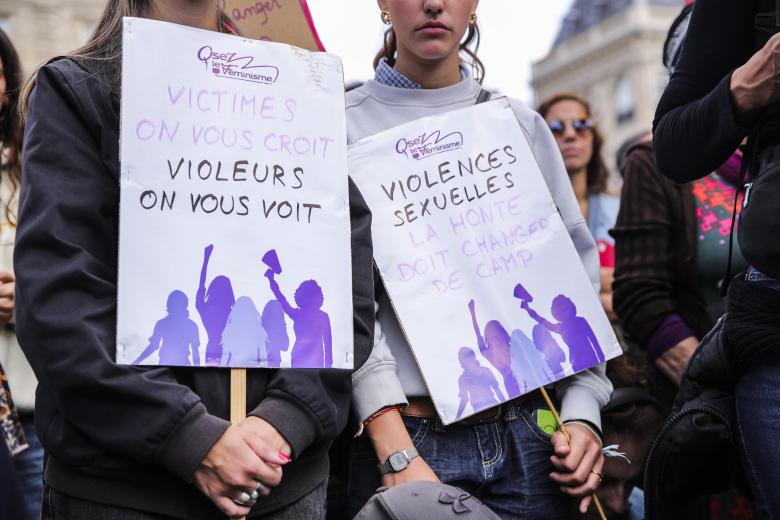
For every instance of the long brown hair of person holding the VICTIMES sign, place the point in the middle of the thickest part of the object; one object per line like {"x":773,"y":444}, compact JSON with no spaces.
{"x":105,"y":44}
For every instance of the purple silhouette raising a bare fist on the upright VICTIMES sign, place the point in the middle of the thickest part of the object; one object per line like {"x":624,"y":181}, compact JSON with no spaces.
{"x":214,"y":308}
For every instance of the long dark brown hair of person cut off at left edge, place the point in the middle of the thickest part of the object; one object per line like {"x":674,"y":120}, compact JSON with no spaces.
{"x":10,"y":127}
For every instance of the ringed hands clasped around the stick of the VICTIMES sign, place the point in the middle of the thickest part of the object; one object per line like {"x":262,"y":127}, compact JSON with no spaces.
{"x":234,"y":465}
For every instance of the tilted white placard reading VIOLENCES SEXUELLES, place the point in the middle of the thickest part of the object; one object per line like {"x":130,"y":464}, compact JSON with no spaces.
{"x":483,"y":276}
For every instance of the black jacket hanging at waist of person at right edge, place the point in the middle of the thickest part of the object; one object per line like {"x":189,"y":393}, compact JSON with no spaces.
{"x":696,"y":452}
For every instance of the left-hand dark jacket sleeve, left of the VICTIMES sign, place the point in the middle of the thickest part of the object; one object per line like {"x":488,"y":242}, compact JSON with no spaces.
{"x":66,"y":268}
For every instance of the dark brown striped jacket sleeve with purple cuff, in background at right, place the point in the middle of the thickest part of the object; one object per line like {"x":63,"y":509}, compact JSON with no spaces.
{"x":656,"y":246}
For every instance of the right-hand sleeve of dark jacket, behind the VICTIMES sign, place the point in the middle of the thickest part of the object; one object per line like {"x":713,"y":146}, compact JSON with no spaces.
{"x":311,"y":406}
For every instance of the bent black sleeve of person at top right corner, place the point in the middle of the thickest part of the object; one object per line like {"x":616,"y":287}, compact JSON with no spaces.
{"x":695,"y":128}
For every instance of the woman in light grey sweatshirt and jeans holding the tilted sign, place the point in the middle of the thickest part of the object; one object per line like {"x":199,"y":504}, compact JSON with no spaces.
{"x":500,"y":454}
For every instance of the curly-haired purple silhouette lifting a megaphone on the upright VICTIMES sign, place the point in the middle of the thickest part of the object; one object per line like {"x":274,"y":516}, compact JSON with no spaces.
{"x":313,"y":343}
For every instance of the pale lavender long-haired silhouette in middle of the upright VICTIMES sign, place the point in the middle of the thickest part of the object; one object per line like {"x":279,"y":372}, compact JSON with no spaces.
{"x":244,"y":338}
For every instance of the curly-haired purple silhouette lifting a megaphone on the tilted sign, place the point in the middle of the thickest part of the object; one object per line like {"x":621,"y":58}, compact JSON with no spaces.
{"x":584,"y":348}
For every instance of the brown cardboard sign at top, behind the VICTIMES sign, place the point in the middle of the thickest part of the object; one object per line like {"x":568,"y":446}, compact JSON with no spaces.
{"x":286,"y":21}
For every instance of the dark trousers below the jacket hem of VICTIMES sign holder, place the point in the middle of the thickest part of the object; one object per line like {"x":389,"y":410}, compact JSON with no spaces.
{"x":59,"y":506}
